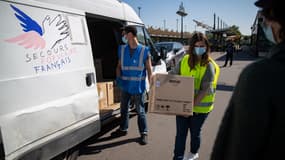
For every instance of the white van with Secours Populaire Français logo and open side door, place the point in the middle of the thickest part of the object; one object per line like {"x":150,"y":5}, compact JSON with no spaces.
{"x":48,"y":75}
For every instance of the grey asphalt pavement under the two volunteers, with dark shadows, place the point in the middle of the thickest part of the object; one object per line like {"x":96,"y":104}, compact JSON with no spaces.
{"x":162,"y":129}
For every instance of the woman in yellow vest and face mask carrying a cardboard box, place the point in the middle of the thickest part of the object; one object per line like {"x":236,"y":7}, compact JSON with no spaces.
{"x":198,"y":64}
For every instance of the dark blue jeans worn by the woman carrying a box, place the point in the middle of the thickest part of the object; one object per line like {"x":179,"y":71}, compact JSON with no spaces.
{"x":194,"y":123}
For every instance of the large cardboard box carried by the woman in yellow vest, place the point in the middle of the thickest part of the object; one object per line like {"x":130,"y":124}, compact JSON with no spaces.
{"x":172,"y":94}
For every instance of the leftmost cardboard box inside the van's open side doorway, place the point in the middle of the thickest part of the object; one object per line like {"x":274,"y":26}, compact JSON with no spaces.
{"x":102,"y":93}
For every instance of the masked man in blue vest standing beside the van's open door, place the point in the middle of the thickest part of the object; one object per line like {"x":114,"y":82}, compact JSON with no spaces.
{"x":133,"y":65}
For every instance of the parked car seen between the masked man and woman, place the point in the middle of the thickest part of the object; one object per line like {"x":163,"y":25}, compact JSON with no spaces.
{"x":173,"y":52}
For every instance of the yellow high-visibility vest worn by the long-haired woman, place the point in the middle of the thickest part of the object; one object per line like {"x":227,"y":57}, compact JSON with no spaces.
{"x":207,"y":103}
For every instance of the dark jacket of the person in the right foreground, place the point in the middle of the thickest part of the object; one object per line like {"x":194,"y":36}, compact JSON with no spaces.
{"x":253,"y":127}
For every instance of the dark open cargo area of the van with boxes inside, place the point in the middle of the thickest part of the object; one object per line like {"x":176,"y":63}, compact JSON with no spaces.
{"x":105,"y":38}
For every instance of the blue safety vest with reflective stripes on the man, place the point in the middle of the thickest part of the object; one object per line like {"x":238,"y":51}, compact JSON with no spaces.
{"x":133,"y":70}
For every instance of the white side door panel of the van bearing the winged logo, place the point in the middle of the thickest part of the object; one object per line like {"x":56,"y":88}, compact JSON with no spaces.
{"x":45,"y":62}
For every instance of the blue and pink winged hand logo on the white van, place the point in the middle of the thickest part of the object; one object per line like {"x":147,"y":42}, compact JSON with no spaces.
{"x":52,"y":31}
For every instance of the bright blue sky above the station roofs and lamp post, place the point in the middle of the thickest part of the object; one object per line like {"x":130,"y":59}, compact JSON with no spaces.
{"x":162,"y":13}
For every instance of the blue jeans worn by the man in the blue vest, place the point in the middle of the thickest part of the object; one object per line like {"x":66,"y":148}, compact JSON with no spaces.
{"x":140,"y":108}
